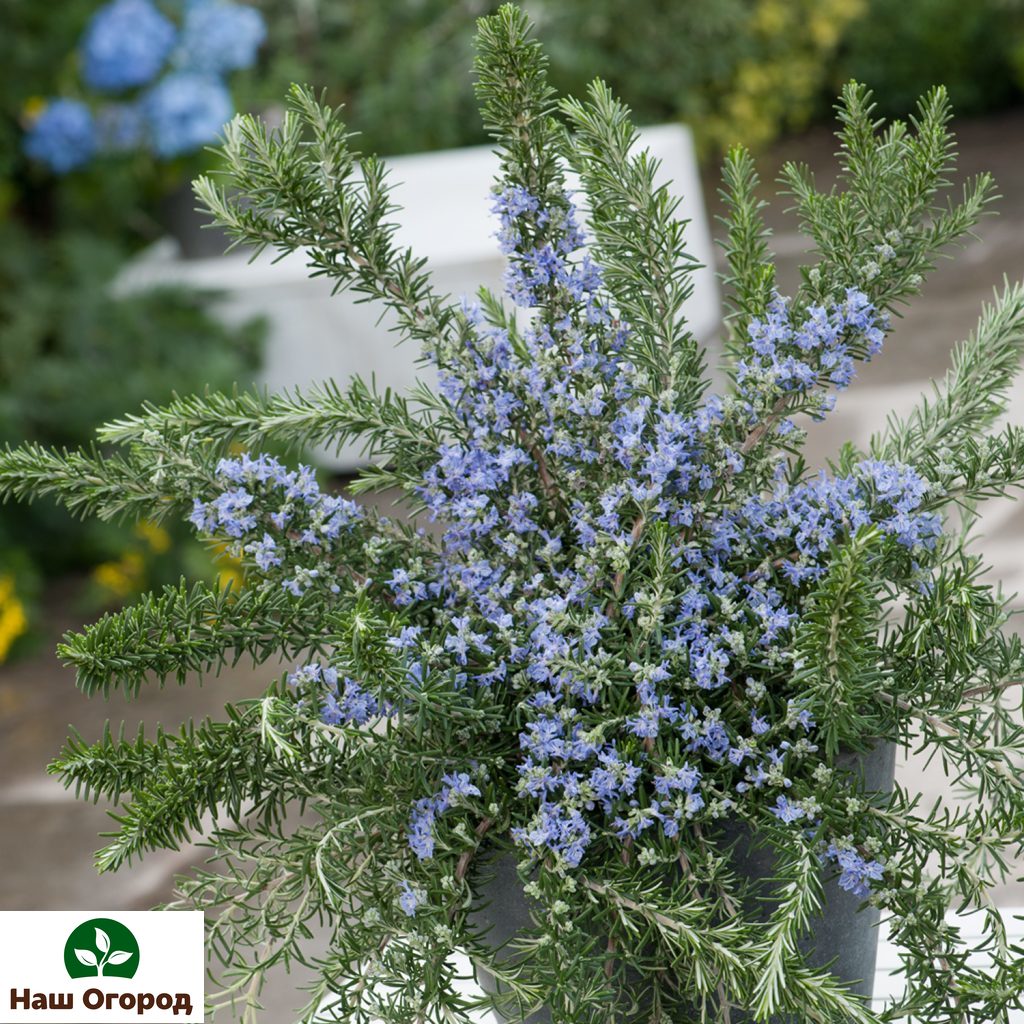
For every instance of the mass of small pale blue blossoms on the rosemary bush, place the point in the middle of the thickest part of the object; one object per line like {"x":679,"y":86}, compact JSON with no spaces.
{"x":532,"y":592}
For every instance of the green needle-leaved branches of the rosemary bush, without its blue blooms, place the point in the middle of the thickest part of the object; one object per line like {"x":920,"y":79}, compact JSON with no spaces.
{"x":894,"y":645}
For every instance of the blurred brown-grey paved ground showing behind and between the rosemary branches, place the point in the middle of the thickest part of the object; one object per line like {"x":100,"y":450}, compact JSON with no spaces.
{"x":48,"y":839}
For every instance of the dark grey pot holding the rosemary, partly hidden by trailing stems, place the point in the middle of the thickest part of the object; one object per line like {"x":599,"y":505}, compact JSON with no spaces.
{"x":845,"y":935}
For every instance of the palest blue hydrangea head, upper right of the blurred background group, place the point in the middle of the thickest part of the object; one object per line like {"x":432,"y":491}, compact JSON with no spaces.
{"x":220,"y":37}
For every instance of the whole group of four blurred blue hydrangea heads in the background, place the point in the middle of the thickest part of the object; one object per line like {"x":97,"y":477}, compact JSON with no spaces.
{"x":178,"y":73}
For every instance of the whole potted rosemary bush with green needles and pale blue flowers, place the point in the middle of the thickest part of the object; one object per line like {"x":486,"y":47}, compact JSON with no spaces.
{"x":639,"y":620}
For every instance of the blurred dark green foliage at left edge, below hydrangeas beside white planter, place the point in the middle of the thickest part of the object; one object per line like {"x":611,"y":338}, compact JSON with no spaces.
{"x":73,"y":354}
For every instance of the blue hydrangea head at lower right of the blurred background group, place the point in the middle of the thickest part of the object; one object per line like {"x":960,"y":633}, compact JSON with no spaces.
{"x":185,"y":112}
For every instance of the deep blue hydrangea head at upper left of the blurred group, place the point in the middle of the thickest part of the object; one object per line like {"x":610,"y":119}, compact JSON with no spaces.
{"x":125,"y":46}
